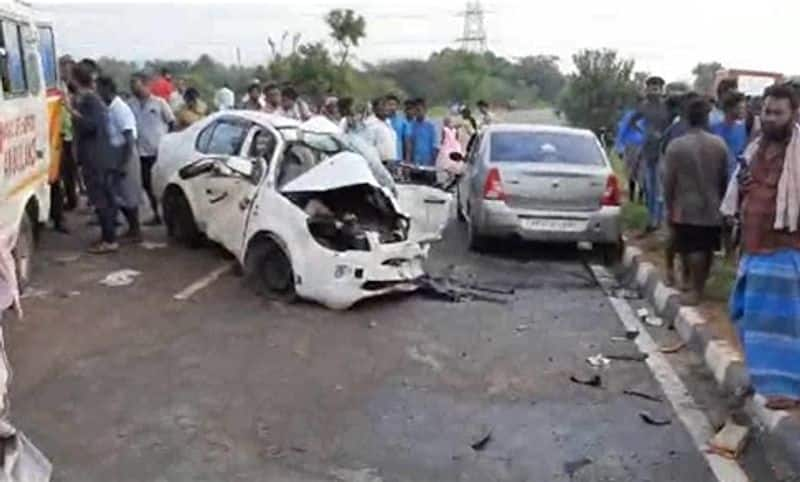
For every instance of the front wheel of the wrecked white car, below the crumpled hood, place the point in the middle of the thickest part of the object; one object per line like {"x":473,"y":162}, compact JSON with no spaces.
{"x":269,"y":270}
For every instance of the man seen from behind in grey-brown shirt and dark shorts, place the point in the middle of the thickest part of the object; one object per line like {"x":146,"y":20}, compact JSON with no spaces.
{"x":695,"y":179}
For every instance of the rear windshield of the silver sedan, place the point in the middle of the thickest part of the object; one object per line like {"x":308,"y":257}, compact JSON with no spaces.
{"x":545,"y":147}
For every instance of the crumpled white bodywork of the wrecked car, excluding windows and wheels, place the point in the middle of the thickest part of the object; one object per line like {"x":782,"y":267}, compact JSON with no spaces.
{"x":336,"y":279}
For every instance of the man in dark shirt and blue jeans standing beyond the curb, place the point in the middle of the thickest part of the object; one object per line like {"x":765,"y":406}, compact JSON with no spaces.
{"x":656,"y":119}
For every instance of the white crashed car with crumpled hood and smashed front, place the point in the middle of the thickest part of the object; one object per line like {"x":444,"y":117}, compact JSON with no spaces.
{"x":304,"y":211}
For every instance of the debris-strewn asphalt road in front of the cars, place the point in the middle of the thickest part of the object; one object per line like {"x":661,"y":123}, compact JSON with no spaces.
{"x":128,"y":384}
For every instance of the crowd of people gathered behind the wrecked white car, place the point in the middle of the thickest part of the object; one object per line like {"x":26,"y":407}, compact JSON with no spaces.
{"x":111,"y":138}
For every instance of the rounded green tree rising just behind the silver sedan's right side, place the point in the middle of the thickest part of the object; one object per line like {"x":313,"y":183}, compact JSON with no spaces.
{"x":602,"y":84}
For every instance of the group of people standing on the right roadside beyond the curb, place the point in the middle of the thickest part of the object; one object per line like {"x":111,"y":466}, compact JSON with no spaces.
{"x":724,"y":176}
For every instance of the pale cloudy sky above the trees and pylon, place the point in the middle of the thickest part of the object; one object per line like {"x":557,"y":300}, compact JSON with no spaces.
{"x":663,"y":37}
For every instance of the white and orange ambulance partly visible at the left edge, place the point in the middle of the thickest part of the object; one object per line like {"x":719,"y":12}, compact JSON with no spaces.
{"x":30,"y":120}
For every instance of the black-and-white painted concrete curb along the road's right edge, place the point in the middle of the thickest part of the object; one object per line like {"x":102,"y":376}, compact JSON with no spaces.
{"x":722,"y":359}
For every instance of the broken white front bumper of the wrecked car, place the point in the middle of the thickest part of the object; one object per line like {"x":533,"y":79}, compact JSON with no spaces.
{"x":338,"y":280}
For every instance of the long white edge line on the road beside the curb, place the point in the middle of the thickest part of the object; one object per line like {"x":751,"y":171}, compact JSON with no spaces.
{"x":693,"y":419}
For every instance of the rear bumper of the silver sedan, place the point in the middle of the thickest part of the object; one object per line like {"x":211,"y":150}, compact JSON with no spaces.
{"x":496,"y":219}
